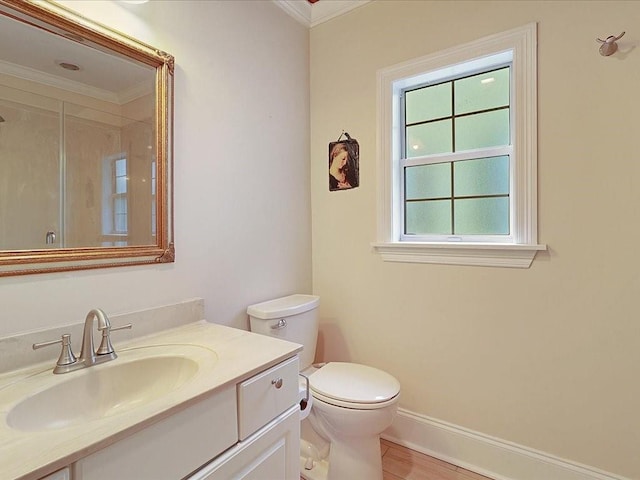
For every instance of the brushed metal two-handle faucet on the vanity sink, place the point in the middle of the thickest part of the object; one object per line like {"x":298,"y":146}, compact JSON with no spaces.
{"x":67,"y":362}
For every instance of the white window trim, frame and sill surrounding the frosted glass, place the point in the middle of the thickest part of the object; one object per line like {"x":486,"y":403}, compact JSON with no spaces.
{"x":519,"y":249}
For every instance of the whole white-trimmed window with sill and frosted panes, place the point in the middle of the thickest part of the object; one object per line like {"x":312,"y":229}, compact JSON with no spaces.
{"x":457,"y":153}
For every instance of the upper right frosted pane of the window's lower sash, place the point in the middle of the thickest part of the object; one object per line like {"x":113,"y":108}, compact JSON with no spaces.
{"x":485,"y":176}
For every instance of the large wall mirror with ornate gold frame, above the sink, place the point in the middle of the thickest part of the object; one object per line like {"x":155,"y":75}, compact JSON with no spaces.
{"x":86,"y":116}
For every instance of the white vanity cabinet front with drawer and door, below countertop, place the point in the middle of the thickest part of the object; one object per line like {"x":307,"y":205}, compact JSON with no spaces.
{"x":247,"y":431}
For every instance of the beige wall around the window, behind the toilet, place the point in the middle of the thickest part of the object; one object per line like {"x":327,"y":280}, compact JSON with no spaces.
{"x":546,"y":357}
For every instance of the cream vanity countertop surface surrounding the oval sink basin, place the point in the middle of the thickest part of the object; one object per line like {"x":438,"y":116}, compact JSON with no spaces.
{"x":34,"y":454}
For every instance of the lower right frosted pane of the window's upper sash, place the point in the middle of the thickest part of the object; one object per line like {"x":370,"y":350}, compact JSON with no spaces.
{"x":488,"y":129}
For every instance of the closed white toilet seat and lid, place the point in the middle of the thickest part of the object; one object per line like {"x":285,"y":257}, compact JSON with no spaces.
{"x":352,"y":385}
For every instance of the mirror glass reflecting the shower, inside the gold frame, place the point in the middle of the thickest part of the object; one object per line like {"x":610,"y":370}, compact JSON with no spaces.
{"x":77,"y":160}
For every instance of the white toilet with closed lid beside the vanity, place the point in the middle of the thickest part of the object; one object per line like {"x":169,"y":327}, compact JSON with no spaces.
{"x":351,"y":403}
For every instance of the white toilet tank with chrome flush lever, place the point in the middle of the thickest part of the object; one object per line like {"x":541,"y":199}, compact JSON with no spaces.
{"x":293,"y":318}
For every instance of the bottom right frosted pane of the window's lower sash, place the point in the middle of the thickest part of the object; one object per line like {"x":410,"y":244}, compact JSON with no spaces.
{"x":482,"y":216}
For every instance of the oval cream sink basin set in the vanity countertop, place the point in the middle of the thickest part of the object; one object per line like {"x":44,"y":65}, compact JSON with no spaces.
{"x":136,"y":378}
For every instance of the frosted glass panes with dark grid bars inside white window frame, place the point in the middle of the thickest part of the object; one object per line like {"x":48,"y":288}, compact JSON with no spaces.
{"x":446,"y":192}
